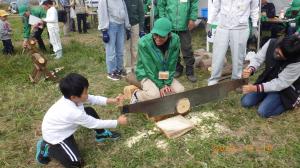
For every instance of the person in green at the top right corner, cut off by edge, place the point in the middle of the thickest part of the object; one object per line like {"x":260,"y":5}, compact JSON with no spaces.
{"x":293,"y":13}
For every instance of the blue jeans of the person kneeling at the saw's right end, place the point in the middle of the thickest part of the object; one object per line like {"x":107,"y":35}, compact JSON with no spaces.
{"x":270,"y":103}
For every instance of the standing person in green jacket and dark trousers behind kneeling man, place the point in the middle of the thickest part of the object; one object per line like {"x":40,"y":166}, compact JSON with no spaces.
{"x":182,"y":14}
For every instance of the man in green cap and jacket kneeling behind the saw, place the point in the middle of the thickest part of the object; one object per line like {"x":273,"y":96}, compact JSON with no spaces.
{"x":158,"y":54}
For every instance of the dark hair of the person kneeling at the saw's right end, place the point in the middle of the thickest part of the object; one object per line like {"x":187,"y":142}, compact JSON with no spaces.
{"x":290,"y":47}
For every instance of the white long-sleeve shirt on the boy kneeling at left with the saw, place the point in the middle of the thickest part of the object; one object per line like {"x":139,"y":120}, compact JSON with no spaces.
{"x":64,"y":117}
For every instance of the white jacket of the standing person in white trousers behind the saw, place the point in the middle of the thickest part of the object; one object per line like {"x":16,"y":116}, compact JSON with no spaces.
{"x":235,"y":14}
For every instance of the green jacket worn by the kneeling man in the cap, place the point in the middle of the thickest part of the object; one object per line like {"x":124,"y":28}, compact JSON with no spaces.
{"x":150,"y":60}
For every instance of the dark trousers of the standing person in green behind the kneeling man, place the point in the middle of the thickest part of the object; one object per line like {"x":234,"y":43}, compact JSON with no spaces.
{"x":187,"y":52}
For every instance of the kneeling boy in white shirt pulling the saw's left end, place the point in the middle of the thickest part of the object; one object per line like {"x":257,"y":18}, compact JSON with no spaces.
{"x":66,"y":115}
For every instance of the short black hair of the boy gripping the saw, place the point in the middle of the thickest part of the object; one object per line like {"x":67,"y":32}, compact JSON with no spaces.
{"x":73,"y":85}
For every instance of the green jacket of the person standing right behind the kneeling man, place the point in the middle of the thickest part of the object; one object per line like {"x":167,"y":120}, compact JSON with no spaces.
{"x":179,"y":12}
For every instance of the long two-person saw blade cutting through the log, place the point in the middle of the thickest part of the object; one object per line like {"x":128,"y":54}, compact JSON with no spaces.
{"x":167,"y":105}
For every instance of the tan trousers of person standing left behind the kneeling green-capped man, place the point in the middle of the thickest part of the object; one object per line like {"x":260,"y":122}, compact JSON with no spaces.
{"x":131,"y":45}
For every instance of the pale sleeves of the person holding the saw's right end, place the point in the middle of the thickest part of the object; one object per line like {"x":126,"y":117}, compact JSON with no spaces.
{"x":285,"y":78}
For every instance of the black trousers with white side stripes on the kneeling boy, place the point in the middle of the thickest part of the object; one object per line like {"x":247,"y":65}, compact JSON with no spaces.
{"x":67,"y":152}
